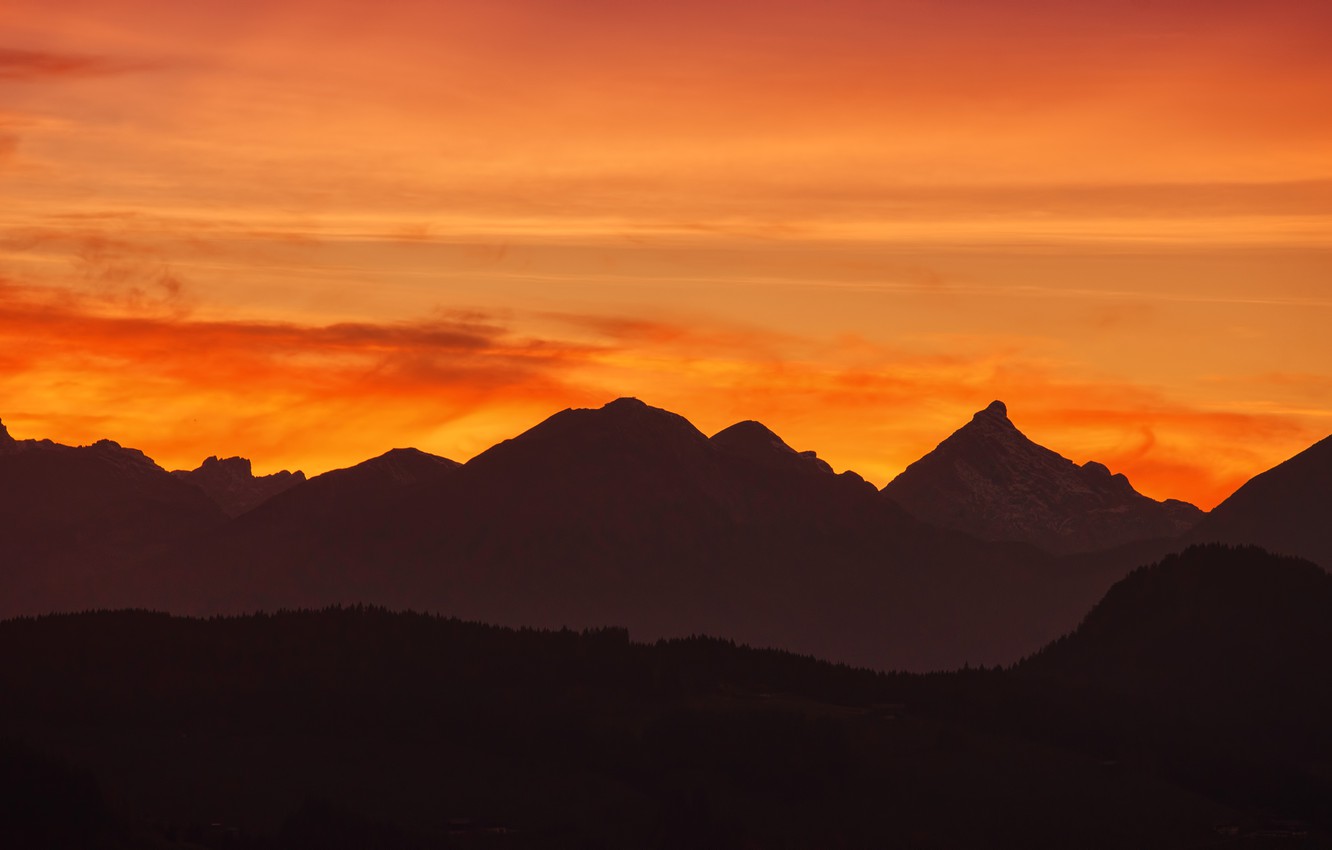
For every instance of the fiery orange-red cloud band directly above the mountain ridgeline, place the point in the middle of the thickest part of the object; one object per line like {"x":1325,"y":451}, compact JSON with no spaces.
{"x":326,"y":395}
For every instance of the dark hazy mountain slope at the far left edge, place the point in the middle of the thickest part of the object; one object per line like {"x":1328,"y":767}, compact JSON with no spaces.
{"x":73,"y":516}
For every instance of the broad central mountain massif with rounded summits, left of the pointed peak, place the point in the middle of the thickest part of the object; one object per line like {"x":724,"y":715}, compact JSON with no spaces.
{"x":631,"y":516}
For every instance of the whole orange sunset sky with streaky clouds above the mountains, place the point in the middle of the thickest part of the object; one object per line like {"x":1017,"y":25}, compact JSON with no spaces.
{"x":307,"y":232}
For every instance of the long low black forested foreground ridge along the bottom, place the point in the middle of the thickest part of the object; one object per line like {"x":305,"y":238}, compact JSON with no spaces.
{"x":360,"y":728}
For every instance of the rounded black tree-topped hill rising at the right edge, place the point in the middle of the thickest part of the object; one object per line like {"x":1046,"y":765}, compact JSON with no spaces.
{"x":1218,"y":655}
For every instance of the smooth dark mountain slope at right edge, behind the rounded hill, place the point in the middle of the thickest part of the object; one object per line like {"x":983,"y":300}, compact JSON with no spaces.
{"x":1287,"y":510}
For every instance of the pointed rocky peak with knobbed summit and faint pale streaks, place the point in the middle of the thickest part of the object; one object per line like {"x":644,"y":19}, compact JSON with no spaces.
{"x":992,"y":482}
